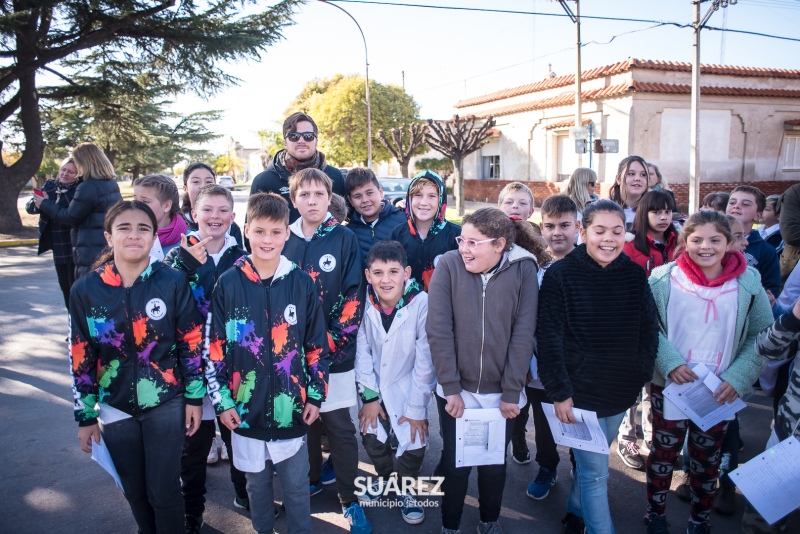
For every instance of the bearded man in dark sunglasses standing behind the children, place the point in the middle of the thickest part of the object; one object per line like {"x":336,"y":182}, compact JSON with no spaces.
{"x":300,"y":138}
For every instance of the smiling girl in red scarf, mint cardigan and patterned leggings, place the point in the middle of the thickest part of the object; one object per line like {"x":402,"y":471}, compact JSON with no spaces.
{"x":711,"y":307}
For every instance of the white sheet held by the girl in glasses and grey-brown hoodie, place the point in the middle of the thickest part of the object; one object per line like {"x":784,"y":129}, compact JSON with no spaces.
{"x":480,"y":437}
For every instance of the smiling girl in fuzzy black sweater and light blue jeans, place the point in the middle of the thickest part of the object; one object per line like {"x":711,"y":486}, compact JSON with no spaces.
{"x":595,"y":288}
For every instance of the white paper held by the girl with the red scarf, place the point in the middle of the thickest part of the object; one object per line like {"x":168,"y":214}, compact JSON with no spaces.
{"x":696,"y":399}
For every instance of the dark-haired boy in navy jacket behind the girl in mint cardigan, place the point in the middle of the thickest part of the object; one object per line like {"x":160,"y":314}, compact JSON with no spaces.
{"x":746,"y":204}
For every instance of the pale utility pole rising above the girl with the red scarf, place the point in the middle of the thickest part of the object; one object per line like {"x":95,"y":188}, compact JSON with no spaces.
{"x":694,"y":138}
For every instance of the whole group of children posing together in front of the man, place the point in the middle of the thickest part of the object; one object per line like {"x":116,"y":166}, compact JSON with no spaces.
{"x":321,"y":317}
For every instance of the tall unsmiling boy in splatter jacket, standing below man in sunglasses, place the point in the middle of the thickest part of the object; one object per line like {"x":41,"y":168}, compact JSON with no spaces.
{"x":330,"y":254}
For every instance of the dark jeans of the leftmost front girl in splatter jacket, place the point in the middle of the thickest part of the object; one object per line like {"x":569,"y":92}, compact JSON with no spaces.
{"x":147,"y":454}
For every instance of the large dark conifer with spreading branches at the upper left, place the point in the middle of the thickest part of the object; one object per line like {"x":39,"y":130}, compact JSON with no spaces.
{"x":184,"y":42}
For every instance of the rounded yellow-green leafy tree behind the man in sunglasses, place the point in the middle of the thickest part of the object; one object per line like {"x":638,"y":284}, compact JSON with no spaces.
{"x":338,"y":106}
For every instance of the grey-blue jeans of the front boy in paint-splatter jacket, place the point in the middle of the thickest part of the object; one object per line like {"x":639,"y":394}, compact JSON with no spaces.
{"x":293,"y":476}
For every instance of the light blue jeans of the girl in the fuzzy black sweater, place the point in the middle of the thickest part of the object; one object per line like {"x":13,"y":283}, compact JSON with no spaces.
{"x":588,"y":497}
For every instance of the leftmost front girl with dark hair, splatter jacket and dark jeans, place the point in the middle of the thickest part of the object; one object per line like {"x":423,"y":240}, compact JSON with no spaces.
{"x":135,"y":350}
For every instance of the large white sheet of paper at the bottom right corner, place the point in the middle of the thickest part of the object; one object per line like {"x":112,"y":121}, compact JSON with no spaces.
{"x":766,"y":480}
